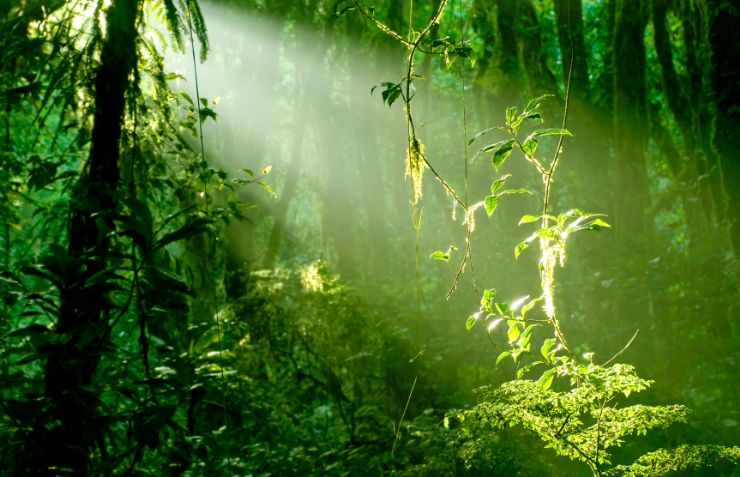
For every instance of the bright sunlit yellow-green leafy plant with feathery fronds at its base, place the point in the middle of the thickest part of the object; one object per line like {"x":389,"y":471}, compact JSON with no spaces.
{"x":571,"y":403}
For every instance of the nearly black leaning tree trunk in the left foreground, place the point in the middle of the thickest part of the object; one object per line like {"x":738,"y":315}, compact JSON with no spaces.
{"x":82,"y":324}
